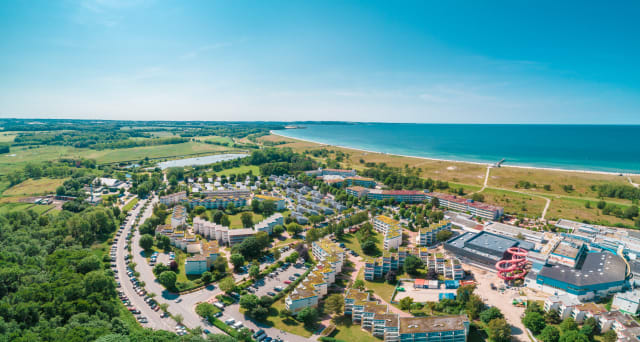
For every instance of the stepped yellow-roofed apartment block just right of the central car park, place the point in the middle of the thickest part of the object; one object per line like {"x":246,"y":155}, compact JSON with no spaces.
{"x":316,"y":285}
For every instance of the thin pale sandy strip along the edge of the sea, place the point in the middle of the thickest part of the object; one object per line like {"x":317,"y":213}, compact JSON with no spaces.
{"x":608,"y":173}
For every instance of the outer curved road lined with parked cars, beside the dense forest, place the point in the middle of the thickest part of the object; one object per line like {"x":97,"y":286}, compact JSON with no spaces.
{"x":137,"y":301}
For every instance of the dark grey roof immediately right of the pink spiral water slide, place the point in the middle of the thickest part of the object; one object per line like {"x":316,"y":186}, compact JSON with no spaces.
{"x":597,"y":268}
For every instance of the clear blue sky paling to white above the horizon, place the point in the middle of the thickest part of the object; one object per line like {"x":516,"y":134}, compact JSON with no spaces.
{"x":389,"y":61}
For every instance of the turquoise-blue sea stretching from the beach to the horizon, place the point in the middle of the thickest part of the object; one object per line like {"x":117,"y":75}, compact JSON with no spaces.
{"x":574,"y":147}
